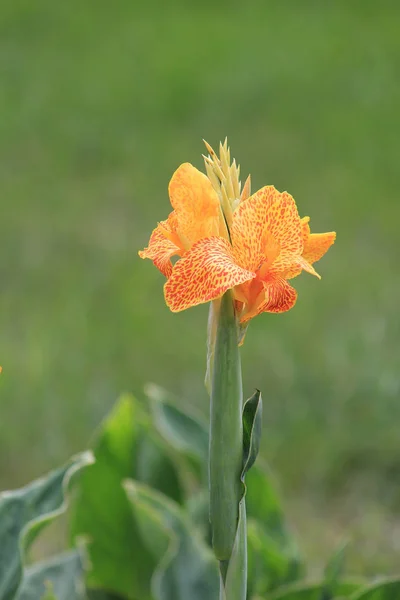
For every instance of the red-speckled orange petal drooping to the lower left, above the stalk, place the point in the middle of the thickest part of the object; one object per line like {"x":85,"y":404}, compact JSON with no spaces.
{"x":203,"y":274}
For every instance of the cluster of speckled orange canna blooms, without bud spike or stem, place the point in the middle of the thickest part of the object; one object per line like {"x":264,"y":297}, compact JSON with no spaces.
{"x":268,"y":244}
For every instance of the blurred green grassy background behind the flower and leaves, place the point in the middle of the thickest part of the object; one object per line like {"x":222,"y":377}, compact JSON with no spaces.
{"x":99,"y":103}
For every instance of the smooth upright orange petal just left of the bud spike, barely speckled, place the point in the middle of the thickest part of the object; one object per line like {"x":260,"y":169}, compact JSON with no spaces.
{"x":196,"y":204}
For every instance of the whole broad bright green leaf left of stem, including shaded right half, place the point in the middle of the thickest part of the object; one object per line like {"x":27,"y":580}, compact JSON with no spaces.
{"x":125,"y":447}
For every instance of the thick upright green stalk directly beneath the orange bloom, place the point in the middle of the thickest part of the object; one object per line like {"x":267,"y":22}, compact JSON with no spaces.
{"x":226,"y":438}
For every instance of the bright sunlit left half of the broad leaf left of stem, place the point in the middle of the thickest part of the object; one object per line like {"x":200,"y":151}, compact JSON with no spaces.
{"x":102,"y":516}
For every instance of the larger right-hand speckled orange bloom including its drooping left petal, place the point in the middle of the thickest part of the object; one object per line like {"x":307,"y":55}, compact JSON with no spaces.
{"x":267,"y":248}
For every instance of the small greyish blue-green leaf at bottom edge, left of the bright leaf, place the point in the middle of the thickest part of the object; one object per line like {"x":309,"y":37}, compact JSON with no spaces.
{"x":64,"y":574}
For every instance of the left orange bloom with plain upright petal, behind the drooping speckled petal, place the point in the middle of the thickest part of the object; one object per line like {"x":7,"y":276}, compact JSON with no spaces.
{"x":196,"y":215}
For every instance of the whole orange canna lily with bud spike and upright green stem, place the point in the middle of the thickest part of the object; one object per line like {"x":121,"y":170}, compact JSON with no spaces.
{"x":238,"y":251}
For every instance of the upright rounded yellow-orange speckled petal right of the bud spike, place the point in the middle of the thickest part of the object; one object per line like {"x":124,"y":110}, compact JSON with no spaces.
{"x":267,"y":213}
